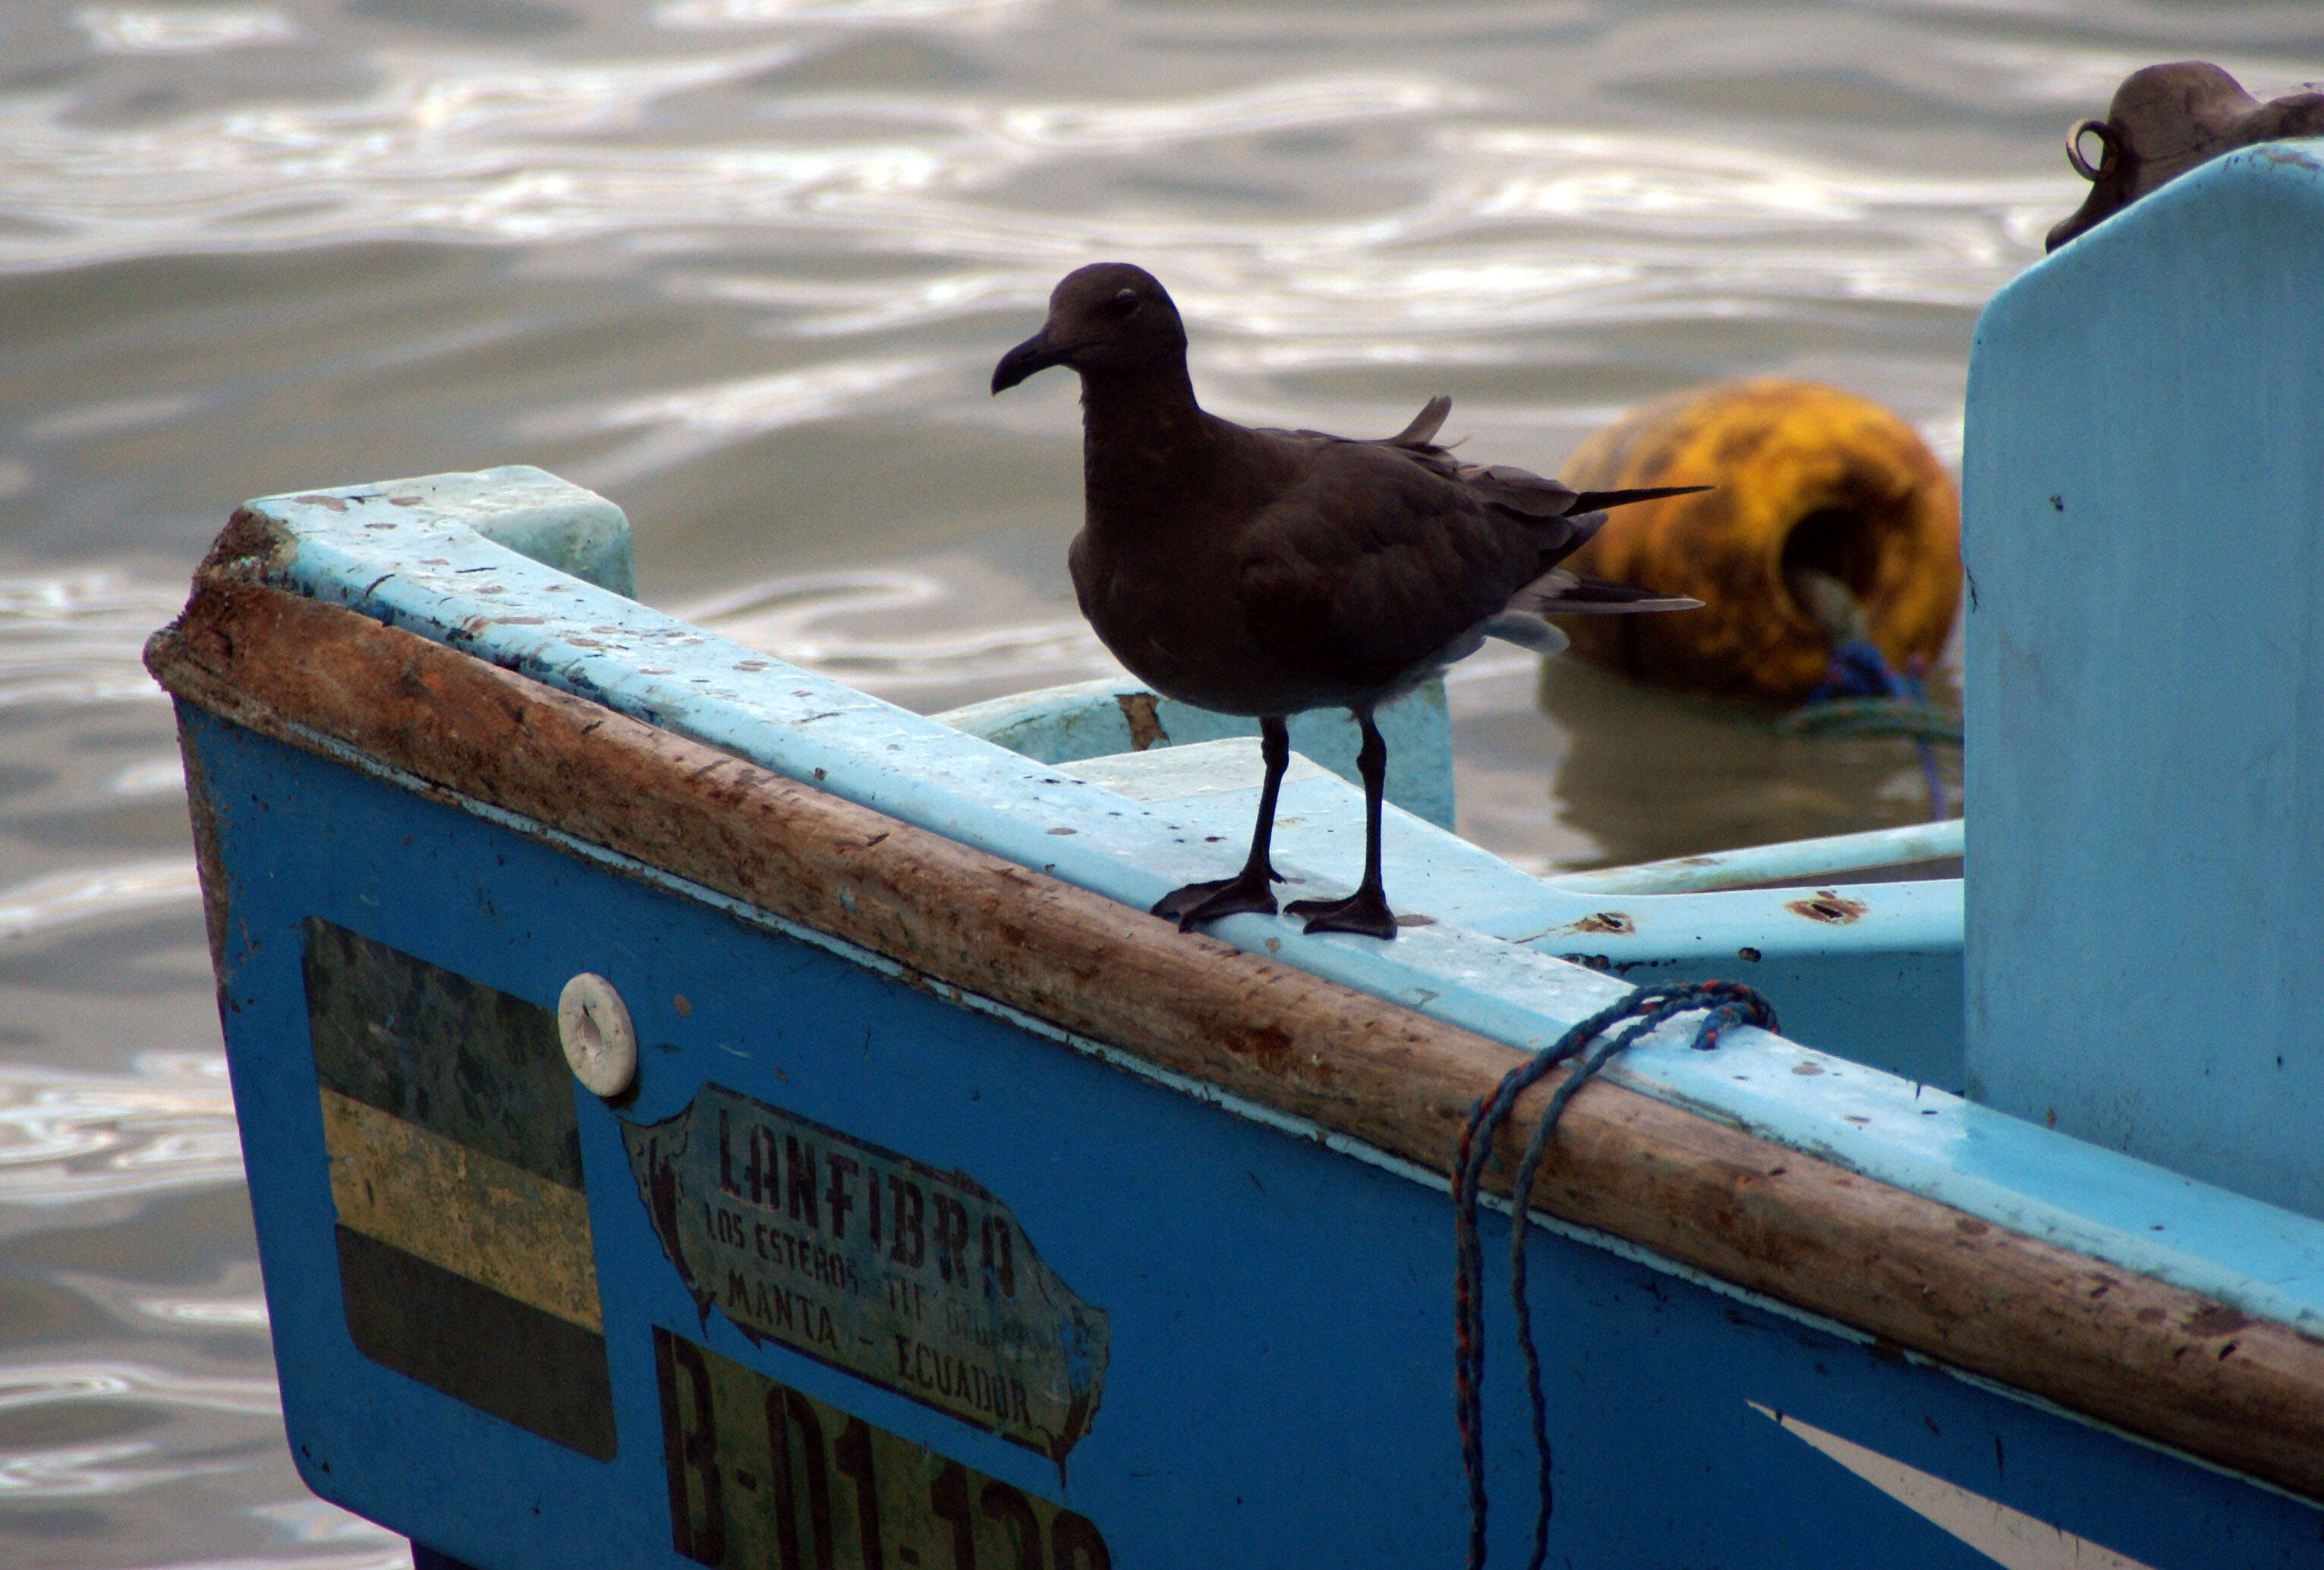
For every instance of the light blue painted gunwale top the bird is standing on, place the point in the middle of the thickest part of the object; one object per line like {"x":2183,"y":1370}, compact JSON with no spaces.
{"x":408,"y":555}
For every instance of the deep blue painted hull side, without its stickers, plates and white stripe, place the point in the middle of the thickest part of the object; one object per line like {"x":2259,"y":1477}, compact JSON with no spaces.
{"x":1279,"y":1313}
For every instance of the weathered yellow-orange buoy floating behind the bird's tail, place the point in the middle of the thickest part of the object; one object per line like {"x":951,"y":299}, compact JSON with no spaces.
{"x":1812,"y":485}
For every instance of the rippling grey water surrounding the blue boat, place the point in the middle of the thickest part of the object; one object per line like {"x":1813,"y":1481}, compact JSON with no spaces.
{"x":745,"y":266}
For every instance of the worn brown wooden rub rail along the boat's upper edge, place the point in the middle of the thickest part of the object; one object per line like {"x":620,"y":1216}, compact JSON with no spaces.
{"x":2109,"y":1343}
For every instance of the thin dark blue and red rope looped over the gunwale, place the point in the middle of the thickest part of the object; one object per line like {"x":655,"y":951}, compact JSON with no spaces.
{"x":1726,"y":1004}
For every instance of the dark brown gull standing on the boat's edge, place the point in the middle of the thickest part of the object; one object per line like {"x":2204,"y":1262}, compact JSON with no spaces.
{"x":1270,"y":573}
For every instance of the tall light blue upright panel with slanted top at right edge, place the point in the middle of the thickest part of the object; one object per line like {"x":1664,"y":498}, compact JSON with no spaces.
{"x":2146,"y":680}
